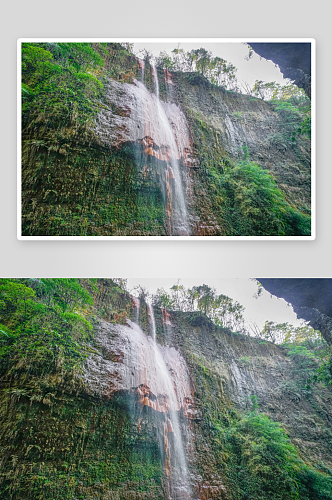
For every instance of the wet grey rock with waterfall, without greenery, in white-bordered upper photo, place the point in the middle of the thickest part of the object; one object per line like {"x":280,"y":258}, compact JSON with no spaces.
{"x":205,"y":127}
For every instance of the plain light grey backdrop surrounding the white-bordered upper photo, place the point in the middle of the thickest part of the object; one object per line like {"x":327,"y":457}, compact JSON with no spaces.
{"x":99,"y":18}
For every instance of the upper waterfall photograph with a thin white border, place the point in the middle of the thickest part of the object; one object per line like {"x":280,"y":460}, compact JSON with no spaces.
{"x":166,"y":139}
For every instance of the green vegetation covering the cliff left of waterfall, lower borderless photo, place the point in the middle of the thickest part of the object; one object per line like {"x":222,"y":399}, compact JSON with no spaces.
{"x":56,"y":440}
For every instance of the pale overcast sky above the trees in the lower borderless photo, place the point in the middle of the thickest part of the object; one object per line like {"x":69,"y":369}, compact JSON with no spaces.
{"x":257,"y":310}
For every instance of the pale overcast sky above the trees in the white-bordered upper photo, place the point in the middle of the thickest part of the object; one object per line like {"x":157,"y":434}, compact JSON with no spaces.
{"x":235,"y":53}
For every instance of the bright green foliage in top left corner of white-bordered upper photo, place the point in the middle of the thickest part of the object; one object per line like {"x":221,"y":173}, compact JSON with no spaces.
{"x":59,"y":83}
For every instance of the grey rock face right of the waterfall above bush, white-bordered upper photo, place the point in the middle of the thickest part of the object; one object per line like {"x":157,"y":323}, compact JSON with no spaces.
{"x":223,"y":123}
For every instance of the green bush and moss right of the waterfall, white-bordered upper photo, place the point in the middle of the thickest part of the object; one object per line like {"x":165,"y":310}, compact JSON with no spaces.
{"x":243,"y":197}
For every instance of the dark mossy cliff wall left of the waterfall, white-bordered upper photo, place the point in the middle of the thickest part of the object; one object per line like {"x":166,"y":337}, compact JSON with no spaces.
{"x":85,"y":191}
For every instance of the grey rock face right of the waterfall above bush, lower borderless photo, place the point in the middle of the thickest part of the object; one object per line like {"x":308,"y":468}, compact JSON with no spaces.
{"x":240,"y":367}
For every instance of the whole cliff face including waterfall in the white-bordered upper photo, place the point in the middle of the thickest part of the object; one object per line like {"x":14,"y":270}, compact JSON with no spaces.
{"x":158,"y":159}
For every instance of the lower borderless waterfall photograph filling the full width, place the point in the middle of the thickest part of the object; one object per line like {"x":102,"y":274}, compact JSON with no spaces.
{"x":166,"y":389}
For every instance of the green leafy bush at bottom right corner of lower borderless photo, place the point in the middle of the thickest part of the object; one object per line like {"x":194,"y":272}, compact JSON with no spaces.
{"x":262,"y":463}
